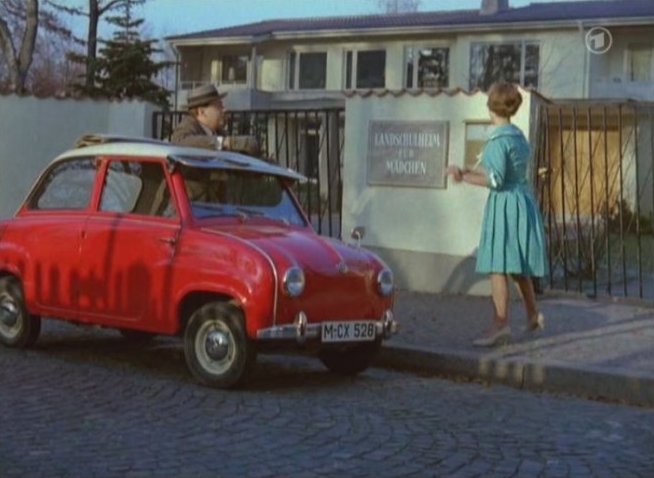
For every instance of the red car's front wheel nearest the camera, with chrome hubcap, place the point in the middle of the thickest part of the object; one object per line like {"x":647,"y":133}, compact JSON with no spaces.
{"x":217,"y":349}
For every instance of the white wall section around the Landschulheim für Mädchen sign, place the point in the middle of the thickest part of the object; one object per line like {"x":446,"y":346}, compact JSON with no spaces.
{"x":426,"y":225}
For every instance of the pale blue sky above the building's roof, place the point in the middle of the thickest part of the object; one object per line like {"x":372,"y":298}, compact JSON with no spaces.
{"x":173,"y":17}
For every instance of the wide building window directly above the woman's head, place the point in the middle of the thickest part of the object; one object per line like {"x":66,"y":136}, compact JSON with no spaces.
{"x":512,"y":62}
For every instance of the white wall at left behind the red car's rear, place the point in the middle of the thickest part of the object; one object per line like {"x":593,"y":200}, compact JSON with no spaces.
{"x":34,"y":131}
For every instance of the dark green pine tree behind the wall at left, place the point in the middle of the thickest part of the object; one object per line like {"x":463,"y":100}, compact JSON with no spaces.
{"x":125,"y":68}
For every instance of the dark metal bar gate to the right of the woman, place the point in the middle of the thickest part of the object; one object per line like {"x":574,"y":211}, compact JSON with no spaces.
{"x":594,"y":180}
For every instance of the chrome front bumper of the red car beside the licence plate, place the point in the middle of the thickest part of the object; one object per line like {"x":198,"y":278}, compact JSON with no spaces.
{"x":300,"y":330}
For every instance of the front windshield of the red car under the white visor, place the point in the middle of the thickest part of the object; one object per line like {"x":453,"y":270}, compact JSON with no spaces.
{"x":221,"y":193}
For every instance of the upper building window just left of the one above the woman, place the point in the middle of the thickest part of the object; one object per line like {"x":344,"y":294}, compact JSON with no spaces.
{"x":427,"y":67}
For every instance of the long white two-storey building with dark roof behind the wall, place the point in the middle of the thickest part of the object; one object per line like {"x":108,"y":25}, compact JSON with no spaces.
{"x":547,"y":46}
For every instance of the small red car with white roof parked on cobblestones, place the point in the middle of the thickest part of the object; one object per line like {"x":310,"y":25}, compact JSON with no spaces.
{"x":212,"y":246}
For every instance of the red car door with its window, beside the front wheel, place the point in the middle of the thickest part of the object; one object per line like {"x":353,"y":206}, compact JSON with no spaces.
{"x":129,"y":245}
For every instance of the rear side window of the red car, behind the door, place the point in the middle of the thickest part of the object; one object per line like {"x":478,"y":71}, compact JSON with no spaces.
{"x":69,"y":185}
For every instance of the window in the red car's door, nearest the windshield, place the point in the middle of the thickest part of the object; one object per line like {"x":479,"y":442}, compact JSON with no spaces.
{"x":134,"y":187}
